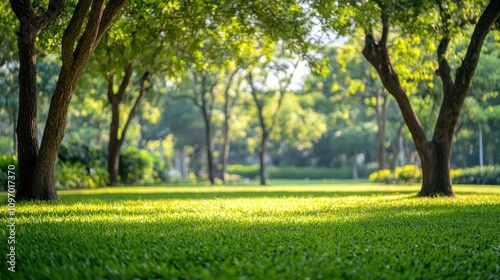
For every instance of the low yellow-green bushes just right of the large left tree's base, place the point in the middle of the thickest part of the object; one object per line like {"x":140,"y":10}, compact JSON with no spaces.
{"x":78,"y":176}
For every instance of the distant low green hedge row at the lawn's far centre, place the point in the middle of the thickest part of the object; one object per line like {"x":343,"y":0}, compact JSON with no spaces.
{"x":285,"y":172}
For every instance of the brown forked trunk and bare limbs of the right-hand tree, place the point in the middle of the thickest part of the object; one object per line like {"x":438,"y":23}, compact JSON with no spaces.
{"x":435,"y":155}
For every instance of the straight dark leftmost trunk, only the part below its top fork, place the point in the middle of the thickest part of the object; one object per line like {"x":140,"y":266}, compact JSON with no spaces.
{"x":27,"y":121}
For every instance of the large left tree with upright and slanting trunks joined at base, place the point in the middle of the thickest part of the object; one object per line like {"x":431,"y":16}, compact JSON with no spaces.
{"x":37,"y":165}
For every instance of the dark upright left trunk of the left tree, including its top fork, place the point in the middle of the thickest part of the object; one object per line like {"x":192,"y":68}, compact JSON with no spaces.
{"x":30,"y":25}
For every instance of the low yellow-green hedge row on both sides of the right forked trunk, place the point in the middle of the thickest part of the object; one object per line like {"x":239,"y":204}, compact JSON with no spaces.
{"x":489,"y":175}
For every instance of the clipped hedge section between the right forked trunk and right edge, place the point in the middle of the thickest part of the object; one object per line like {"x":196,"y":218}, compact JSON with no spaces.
{"x":475,"y":175}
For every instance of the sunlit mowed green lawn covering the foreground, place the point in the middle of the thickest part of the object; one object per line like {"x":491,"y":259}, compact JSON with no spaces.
{"x":316,"y":231}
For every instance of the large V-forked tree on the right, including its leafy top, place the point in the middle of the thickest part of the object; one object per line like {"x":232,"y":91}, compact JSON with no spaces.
{"x":435,"y":154}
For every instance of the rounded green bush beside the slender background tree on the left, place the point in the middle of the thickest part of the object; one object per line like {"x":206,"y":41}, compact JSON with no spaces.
{"x":140,"y":167}
